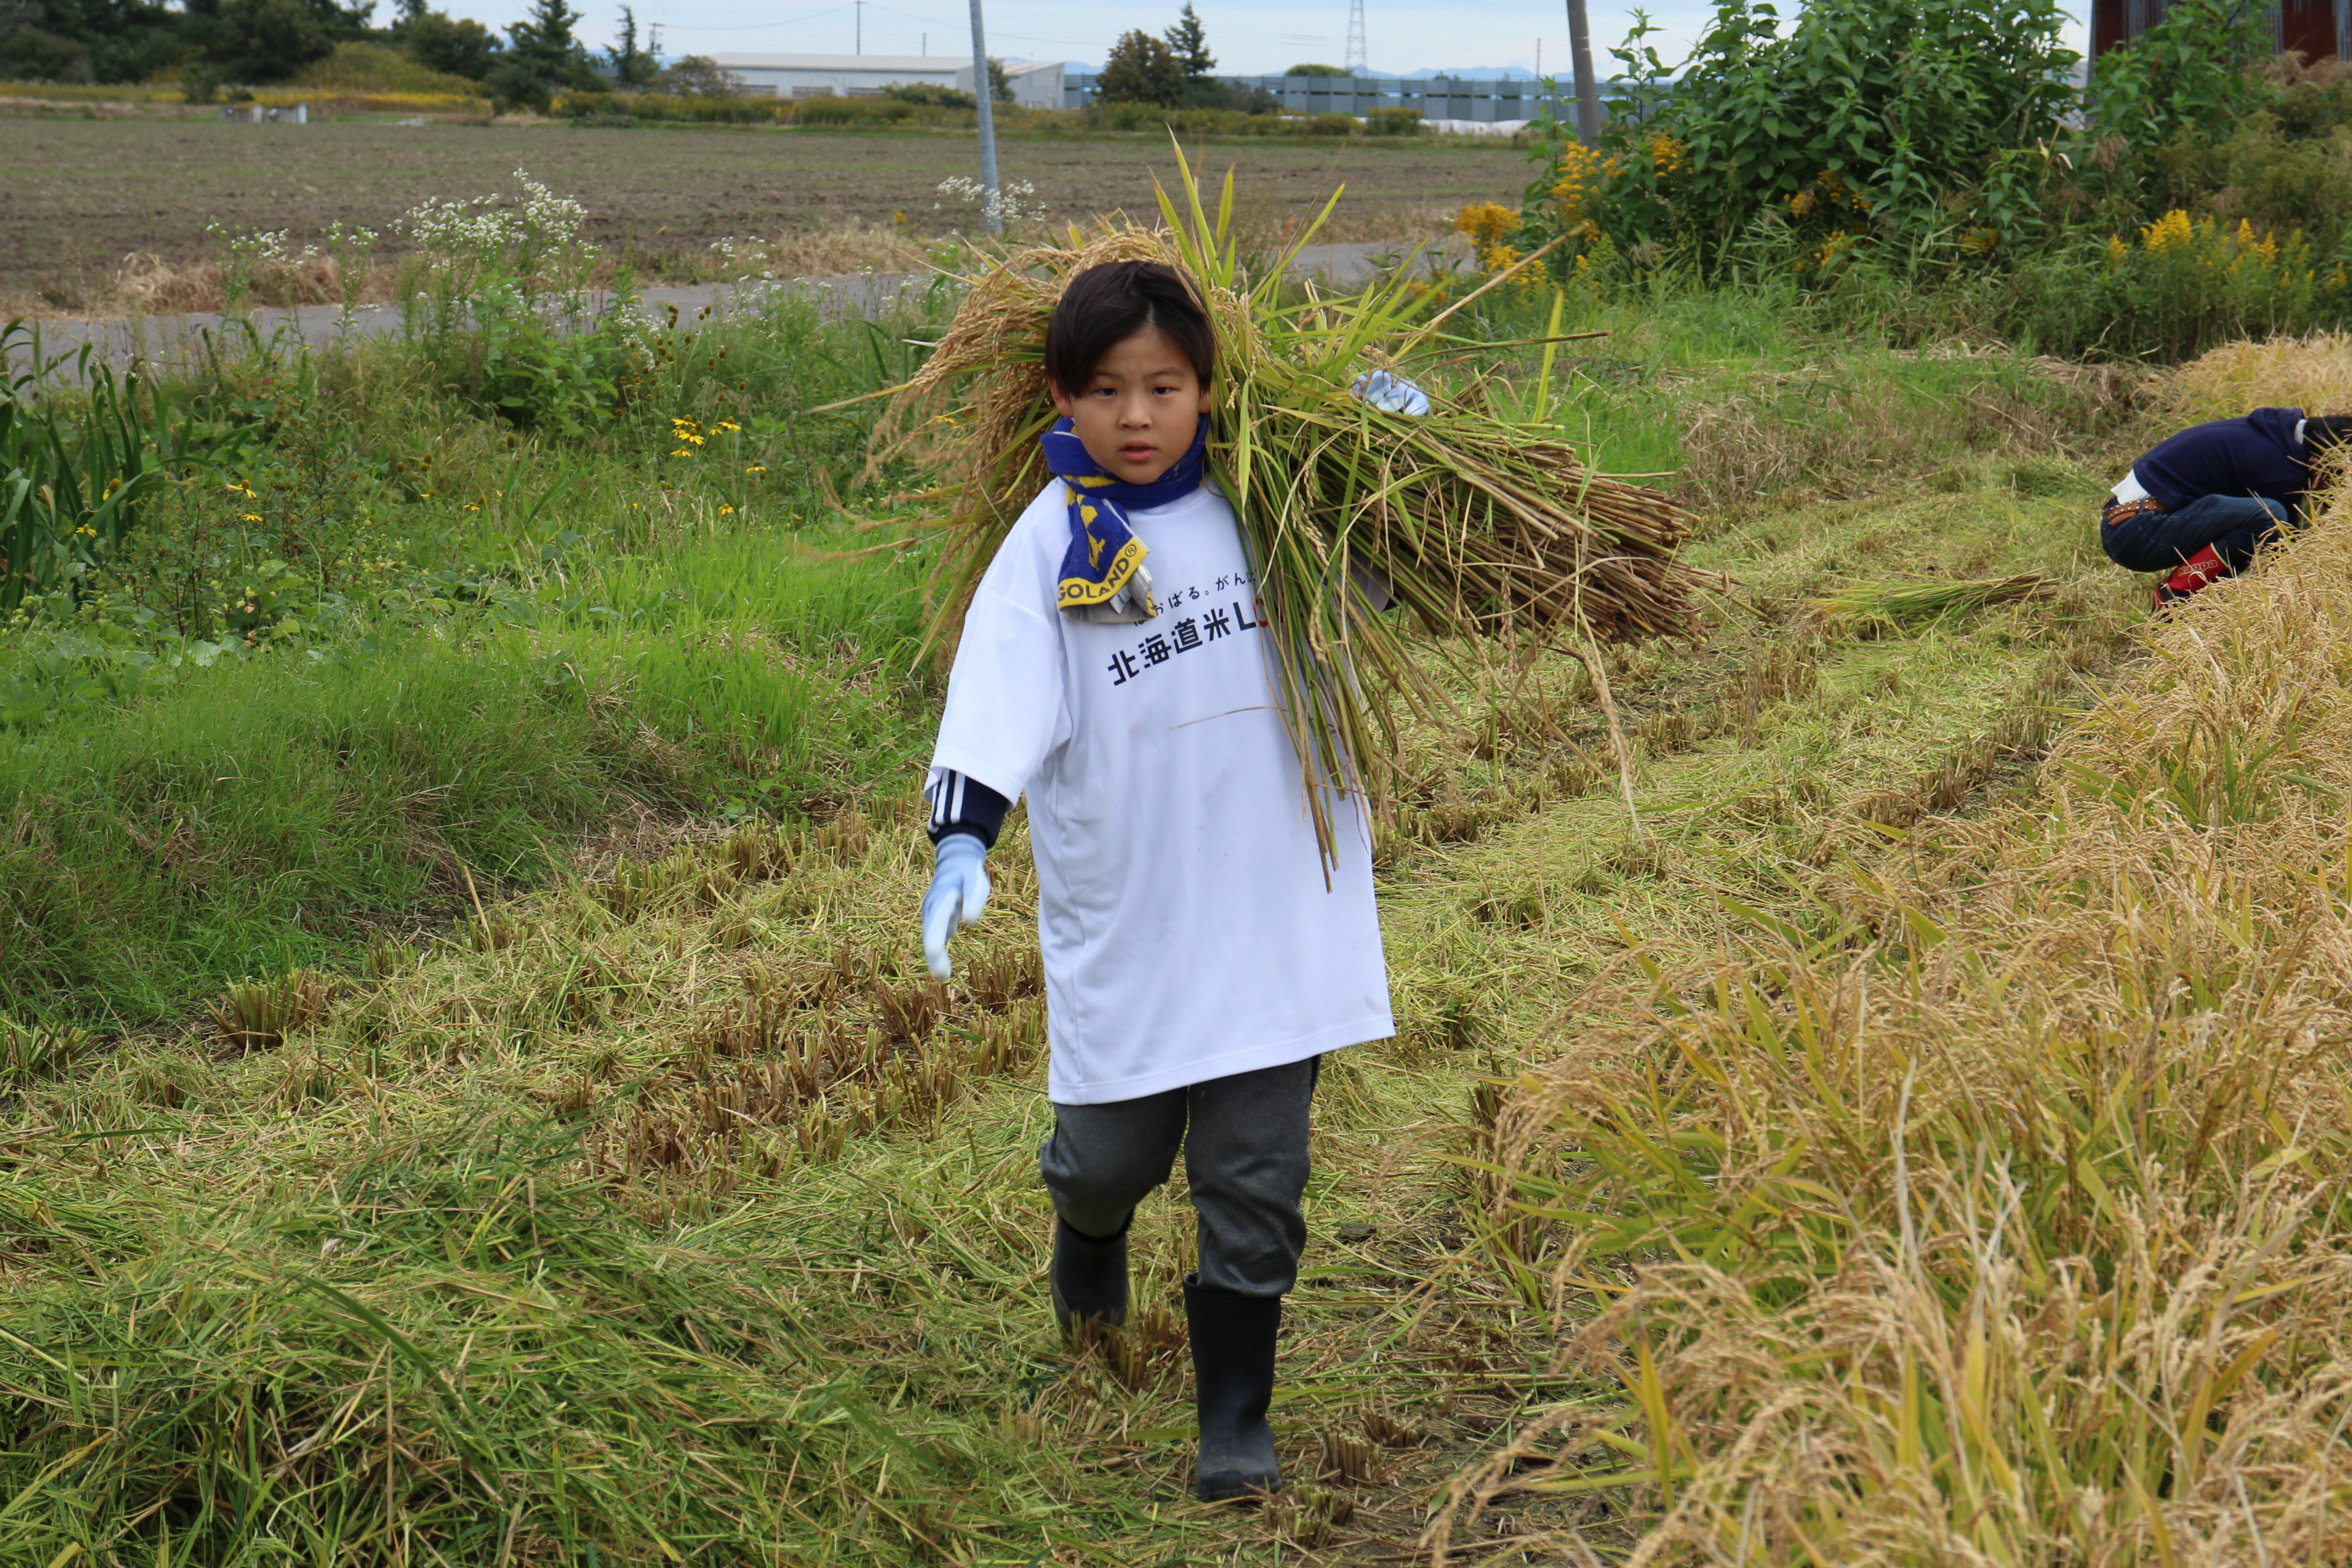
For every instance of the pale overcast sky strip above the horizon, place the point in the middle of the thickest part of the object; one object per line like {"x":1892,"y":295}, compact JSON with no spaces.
{"x":1248,"y":36}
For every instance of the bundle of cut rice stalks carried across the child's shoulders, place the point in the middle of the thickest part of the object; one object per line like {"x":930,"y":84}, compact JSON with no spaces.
{"x":1481,"y":528}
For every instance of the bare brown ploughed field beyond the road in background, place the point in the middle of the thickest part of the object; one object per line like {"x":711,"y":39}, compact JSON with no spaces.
{"x":79,"y":196}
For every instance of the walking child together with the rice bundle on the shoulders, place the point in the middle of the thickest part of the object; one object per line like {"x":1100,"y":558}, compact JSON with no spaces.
{"x":1177,"y":652}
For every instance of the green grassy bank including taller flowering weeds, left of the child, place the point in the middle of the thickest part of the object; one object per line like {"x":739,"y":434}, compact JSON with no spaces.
{"x":502,"y":650}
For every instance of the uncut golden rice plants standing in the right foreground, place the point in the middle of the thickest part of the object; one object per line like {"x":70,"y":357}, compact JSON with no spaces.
{"x":1998,"y":1217}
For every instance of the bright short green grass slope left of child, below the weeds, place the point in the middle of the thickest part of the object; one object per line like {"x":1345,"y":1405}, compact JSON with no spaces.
{"x":267,"y":817}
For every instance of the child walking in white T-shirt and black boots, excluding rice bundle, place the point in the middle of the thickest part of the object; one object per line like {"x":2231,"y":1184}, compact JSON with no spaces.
{"x":1196,"y":958}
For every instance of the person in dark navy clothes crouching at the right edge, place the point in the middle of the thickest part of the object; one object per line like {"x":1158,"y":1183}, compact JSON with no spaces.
{"x":2203,"y":502}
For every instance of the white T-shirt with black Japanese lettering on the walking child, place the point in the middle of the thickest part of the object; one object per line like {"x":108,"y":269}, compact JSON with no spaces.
{"x":1182,"y":909}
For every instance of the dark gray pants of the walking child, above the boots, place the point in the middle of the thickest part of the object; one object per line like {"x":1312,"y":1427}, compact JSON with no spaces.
{"x":1245,"y":1151}
